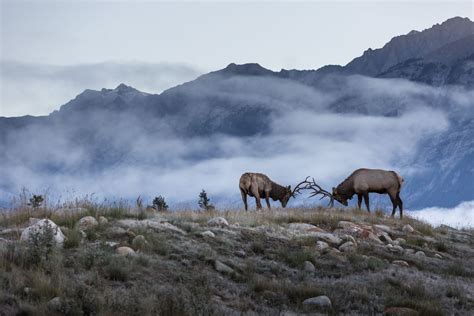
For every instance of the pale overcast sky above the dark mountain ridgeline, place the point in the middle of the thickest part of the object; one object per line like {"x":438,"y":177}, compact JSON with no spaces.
{"x":195,"y":35}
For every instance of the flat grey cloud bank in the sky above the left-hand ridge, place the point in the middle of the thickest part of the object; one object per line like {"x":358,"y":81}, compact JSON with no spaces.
{"x":38,"y":89}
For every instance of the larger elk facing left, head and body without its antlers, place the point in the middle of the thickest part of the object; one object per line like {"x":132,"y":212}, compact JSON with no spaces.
{"x":365,"y":181}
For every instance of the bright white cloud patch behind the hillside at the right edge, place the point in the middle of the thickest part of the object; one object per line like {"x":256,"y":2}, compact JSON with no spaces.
{"x":461,"y":216}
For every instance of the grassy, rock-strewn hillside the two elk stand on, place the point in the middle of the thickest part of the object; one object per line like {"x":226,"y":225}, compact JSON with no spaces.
{"x":120,"y":261}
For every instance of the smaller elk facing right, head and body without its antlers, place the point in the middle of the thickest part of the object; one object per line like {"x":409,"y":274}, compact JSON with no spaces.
{"x":260,"y":186}
